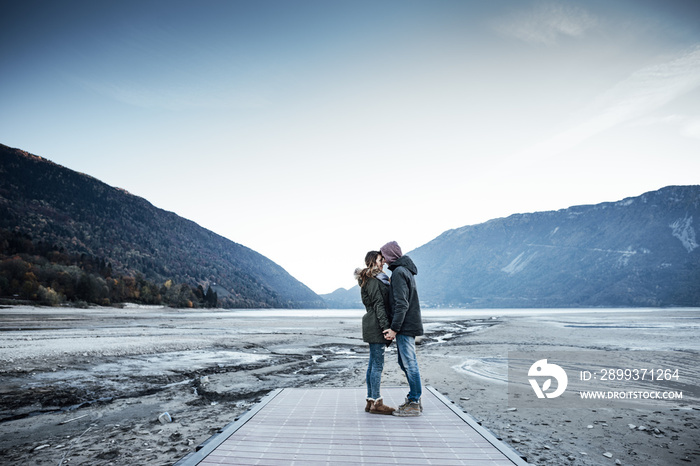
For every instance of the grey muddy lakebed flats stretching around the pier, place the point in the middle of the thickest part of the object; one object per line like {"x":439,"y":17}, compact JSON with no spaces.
{"x":88,"y":386}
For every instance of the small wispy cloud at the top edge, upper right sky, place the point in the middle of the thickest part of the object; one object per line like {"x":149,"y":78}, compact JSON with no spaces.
{"x":547,"y":23}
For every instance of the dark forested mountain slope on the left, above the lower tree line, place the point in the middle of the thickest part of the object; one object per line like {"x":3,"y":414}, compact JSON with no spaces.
{"x":80,"y":217}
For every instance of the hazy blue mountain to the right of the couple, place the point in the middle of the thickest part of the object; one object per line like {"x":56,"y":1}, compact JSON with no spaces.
{"x":641,"y":251}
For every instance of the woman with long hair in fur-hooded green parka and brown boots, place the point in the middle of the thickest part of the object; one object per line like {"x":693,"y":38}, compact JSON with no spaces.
{"x":374,"y":285}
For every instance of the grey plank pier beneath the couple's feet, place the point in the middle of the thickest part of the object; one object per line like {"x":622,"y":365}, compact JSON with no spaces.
{"x":328,"y":426}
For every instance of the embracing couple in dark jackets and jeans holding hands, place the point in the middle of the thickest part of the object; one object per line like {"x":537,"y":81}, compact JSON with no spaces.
{"x":392,"y":313}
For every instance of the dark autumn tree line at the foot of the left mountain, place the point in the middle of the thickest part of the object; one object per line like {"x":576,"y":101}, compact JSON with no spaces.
{"x":46,"y":274}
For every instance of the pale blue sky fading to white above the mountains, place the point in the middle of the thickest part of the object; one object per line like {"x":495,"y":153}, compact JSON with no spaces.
{"x":315,"y":131}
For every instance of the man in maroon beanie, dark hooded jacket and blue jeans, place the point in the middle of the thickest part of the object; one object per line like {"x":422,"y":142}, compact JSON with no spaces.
{"x":406,"y":323}
